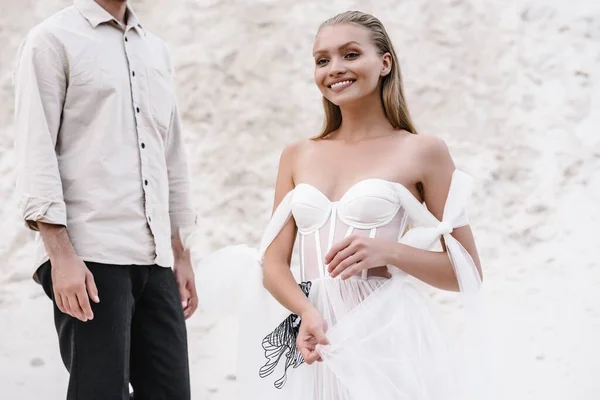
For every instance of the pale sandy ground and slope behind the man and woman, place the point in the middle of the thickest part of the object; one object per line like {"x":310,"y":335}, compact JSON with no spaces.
{"x":513,"y":87}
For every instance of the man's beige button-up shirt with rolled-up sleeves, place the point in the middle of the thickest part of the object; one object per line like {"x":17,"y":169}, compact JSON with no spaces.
{"x":99,"y":141}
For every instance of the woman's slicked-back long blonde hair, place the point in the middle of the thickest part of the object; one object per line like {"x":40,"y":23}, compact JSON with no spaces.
{"x":392,"y":93}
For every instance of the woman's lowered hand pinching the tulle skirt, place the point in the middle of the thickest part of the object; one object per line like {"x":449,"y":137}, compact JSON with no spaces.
{"x":311,"y":333}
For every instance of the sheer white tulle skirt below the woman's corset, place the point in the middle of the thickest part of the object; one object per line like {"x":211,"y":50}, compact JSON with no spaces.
{"x":384,"y":342}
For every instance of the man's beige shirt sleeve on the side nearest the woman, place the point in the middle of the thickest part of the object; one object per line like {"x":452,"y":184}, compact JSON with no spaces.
{"x":181,"y":212}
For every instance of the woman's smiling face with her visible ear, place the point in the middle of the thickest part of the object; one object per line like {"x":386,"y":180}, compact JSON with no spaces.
{"x":348,"y":65}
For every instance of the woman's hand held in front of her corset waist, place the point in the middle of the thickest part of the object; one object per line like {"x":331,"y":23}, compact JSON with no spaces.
{"x":355,"y":253}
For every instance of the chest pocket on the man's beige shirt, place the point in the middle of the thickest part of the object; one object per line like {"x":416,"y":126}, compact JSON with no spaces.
{"x":160,"y":91}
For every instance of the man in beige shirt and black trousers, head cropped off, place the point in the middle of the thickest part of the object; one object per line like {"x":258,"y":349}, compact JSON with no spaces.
{"x":103,"y":177}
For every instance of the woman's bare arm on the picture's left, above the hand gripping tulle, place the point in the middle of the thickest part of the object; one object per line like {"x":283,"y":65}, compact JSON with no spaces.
{"x":277,"y":276}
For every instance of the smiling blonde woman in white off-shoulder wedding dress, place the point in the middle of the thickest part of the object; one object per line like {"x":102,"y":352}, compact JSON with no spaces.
{"x":352,"y":325}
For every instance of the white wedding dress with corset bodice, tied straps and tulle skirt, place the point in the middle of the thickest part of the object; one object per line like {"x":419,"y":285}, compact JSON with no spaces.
{"x":384,"y":341}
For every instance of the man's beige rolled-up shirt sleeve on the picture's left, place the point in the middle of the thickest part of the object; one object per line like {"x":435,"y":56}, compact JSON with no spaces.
{"x":40,"y":86}
